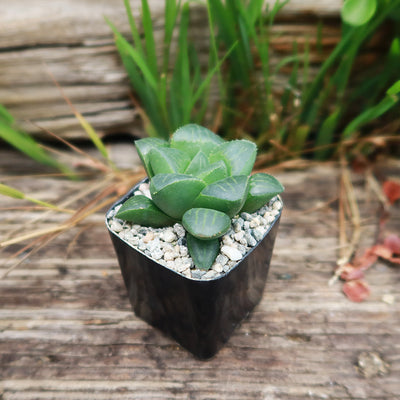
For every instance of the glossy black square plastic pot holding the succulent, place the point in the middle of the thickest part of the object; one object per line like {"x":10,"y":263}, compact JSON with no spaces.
{"x":199,"y":314}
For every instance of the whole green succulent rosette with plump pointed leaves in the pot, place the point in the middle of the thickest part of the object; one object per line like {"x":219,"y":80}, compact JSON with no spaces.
{"x":202,"y":181}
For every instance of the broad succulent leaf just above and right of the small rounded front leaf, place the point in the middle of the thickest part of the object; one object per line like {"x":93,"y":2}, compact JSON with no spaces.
{"x":227,"y":195}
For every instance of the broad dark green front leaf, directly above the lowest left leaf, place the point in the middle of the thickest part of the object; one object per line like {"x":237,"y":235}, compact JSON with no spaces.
{"x":175,"y":193}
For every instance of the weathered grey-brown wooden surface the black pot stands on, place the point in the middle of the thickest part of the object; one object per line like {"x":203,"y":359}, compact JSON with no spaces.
{"x":67,"y":331}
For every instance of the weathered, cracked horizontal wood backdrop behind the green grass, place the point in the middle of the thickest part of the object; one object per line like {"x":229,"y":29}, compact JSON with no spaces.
{"x":70,"y":40}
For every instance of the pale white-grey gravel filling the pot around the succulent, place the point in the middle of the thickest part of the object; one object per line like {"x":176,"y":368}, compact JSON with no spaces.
{"x":167,"y":246}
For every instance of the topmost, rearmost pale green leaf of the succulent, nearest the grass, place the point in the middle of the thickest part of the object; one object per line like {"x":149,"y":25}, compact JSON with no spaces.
{"x":192,"y":137}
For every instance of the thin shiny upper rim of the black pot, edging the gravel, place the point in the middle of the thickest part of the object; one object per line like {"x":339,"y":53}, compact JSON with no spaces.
{"x":130,"y":194}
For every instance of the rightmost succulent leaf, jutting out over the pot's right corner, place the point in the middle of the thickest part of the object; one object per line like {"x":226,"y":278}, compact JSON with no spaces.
{"x":262,"y":188}
